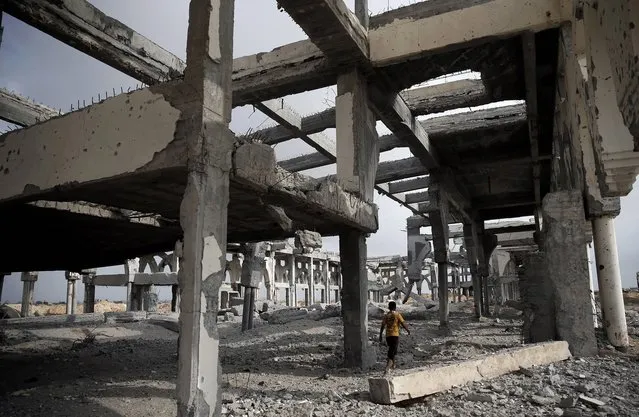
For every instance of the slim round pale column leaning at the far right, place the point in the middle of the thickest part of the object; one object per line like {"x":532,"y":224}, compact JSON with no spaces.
{"x":609,"y":277}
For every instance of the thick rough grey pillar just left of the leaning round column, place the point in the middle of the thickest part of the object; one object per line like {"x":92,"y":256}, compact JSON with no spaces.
{"x":567,"y":268}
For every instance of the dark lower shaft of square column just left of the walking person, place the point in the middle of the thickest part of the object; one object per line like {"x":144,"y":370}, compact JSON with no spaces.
{"x":357,"y":352}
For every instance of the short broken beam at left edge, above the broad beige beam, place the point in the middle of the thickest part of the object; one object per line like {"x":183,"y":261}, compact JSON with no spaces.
{"x":22,"y":111}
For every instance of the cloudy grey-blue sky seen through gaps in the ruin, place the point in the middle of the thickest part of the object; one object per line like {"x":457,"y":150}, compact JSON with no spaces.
{"x":38,"y":66}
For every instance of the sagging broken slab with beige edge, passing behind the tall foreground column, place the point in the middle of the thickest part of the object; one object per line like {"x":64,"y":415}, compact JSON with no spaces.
{"x":128,"y":152}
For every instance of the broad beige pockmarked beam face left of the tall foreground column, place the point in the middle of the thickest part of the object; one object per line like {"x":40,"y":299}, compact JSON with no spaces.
{"x":87,"y":145}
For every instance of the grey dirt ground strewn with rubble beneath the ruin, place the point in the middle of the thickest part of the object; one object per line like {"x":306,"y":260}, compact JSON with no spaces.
{"x":294,"y":370}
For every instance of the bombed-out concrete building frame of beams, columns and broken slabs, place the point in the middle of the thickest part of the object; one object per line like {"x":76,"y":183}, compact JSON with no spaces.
{"x":158,"y":169}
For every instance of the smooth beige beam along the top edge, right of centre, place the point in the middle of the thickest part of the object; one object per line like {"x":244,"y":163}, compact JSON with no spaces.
{"x":428,"y":27}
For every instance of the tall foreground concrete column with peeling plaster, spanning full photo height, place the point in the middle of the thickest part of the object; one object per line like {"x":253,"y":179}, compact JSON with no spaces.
{"x":204,"y":208}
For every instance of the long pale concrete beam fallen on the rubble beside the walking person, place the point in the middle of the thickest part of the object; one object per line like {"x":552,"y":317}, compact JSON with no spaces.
{"x":430,"y":380}
